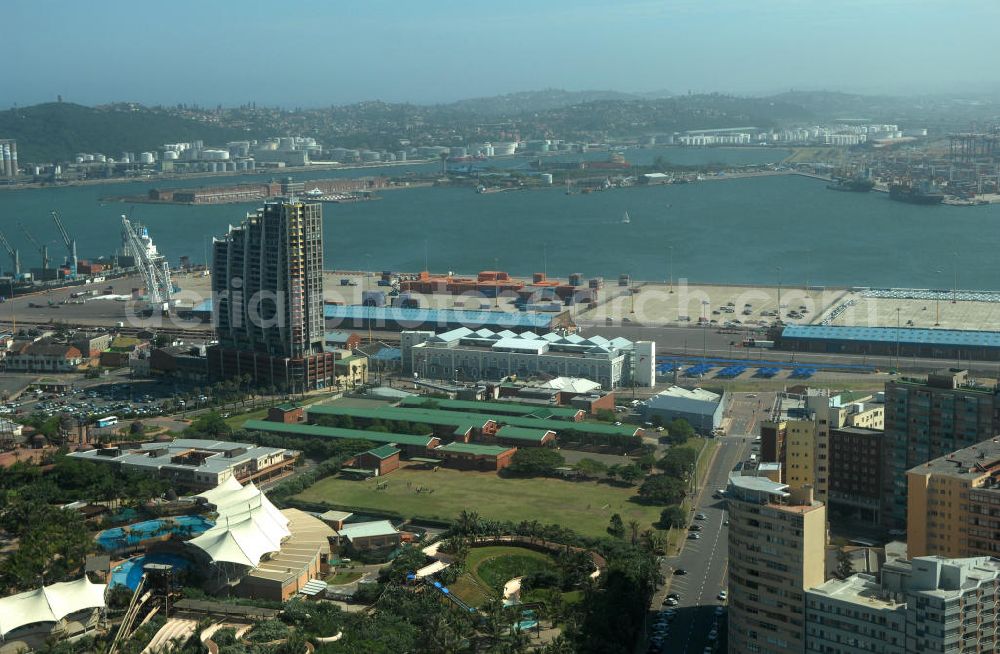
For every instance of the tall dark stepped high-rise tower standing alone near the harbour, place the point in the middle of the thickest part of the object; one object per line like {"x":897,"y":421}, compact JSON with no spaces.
{"x":267,"y":288}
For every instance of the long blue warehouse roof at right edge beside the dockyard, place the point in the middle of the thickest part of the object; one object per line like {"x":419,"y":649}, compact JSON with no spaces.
{"x":904,"y":335}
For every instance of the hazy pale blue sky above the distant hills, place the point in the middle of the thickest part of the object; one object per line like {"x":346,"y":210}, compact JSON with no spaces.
{"x":309,"y":53}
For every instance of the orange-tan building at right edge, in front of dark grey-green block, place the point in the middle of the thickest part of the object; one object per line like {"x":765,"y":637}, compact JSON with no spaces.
{"x":954,"y":503}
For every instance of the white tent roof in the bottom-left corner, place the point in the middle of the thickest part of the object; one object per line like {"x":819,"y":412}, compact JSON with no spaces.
{"x":49,"y":603}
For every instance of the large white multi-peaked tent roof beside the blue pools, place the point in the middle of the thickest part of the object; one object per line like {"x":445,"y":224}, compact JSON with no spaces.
{"x":248,"y":528}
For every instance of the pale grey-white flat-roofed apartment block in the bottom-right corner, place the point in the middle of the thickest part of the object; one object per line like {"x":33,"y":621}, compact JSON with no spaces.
{"x":927,"y":604}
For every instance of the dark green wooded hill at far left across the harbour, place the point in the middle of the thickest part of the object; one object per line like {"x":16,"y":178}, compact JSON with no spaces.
{"x":57,"y":131}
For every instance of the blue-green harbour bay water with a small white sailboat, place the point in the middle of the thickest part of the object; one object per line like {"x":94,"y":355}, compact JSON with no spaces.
{"x":736,"y":231}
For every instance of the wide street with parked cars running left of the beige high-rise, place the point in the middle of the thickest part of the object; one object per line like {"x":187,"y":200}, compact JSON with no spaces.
{"x":705,"y":560}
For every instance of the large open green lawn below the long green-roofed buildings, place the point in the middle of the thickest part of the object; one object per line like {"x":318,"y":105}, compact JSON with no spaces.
{"x":583,"y":506}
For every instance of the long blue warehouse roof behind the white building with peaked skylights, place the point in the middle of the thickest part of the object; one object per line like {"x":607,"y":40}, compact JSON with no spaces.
{"x":416,"y":318}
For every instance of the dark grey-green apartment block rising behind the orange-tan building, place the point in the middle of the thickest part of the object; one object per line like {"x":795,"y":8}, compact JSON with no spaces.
{"x":928,"y":419}
